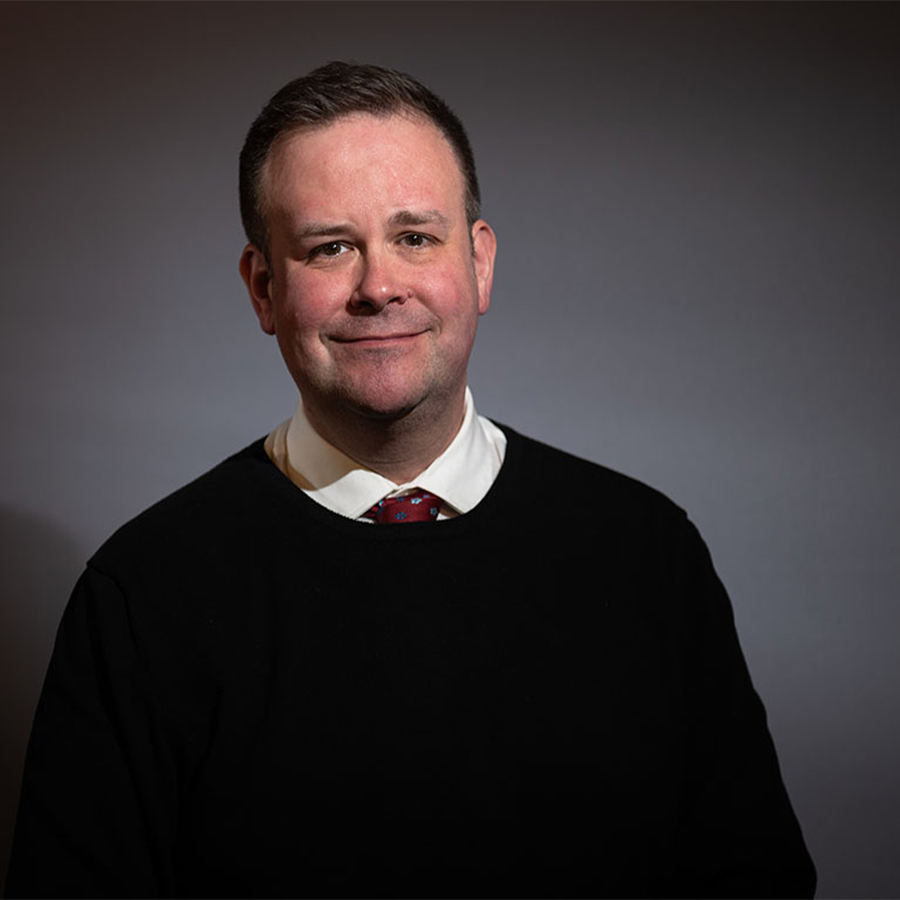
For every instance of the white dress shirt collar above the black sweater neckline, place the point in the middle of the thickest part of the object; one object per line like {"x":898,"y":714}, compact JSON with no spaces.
{"x":460,"y":476}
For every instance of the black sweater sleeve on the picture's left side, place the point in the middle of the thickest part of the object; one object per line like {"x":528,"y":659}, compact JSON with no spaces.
{"x":98,"y":806}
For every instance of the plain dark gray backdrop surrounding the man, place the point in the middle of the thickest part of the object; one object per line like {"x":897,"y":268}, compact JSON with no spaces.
{"x":698,"y":212}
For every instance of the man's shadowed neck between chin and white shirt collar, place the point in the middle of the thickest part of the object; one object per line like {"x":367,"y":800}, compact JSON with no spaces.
{"x":399,"y":448}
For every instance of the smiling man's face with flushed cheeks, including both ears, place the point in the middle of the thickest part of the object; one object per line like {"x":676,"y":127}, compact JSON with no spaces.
{"x":375,"y":282}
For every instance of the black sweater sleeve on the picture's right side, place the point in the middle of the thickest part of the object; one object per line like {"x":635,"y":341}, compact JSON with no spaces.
{"x":739,"y":836}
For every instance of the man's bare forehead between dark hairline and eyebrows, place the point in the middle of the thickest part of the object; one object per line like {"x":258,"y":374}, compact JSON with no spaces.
{"x":394,"y":160}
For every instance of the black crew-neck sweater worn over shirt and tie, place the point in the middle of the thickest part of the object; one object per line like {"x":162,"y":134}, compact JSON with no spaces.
{"x":252,"y":696}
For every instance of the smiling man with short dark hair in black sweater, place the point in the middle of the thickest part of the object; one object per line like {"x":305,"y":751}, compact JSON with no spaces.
{"x":531,"y":688}
